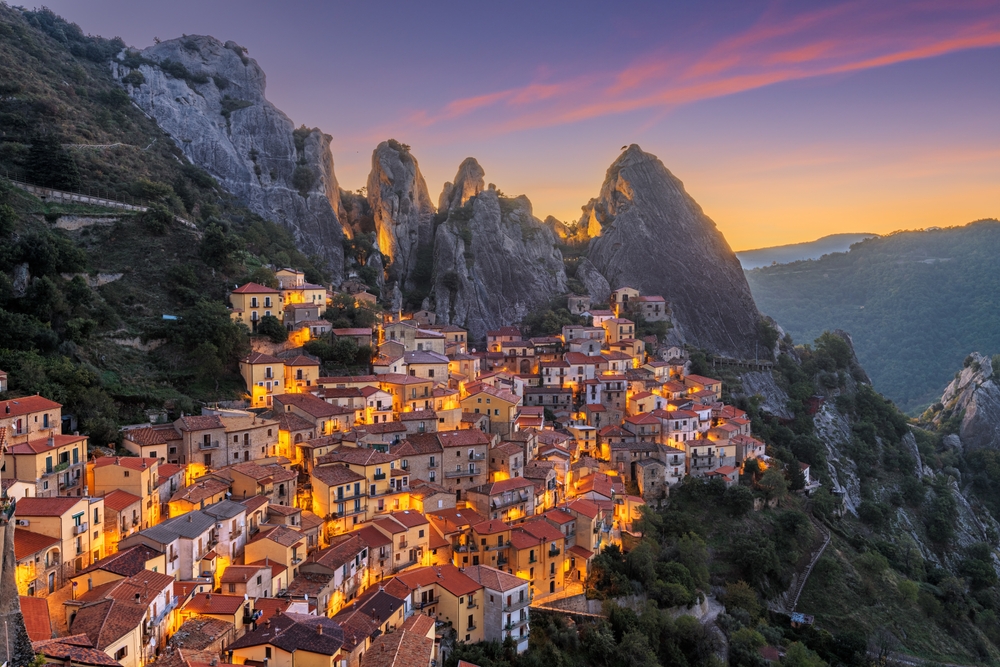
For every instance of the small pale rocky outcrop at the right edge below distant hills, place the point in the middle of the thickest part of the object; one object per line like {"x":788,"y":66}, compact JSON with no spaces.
{"x":975,"y":396}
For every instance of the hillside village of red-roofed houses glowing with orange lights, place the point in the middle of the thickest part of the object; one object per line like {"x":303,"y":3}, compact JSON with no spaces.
{"x":361,"y":520}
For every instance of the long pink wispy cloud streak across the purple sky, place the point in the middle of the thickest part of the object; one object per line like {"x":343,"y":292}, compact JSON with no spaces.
{"x":780,"y":46}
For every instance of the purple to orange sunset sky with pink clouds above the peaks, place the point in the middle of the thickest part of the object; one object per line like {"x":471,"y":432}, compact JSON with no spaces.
{"x":786,"y":121}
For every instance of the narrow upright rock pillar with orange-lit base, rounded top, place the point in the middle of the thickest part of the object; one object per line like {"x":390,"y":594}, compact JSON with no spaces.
{"x":403,"y":211}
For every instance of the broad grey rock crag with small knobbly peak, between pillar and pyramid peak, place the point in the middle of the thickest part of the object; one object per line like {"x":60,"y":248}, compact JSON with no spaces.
{"x":494,"y":262}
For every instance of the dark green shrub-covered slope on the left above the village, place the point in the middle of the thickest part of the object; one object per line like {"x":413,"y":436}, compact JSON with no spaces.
{"x":83,"y":290}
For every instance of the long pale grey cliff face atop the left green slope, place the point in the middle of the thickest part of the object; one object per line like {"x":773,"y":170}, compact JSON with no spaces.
{"x":209,"y":97}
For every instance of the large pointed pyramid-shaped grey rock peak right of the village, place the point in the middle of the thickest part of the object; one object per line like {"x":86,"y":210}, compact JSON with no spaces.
{"x":654,"y":237}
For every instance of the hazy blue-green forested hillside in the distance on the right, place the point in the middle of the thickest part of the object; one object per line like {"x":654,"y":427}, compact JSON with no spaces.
{"x":915,"y":303}
